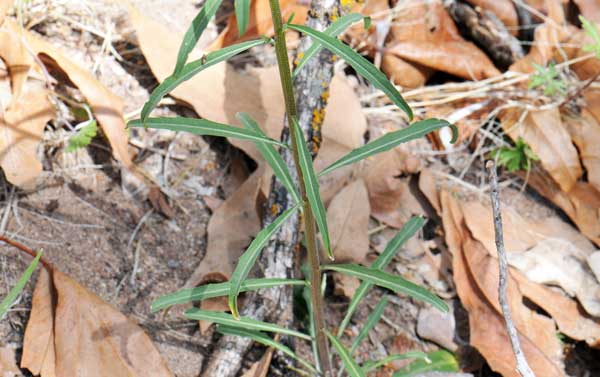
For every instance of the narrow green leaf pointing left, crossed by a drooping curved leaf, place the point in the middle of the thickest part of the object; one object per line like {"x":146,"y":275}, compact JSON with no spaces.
{"x":207,"y":291}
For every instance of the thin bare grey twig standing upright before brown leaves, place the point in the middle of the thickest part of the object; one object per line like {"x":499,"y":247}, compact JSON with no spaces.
{"x":522,"y":366}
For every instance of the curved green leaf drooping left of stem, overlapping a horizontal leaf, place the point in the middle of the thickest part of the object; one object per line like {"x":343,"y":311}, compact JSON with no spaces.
{"x":247,"y":260}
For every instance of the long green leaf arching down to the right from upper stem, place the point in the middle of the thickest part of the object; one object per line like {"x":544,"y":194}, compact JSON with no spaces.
{"x":362,"y":66}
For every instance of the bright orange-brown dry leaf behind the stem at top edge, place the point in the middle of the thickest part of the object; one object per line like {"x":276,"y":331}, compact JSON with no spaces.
{"x":259,"y":22}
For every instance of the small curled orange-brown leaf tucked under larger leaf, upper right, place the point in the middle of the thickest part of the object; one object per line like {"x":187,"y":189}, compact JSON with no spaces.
{"x":408,"y":75}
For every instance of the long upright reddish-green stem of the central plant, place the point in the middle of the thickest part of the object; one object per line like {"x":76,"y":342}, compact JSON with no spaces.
{"x":309,"y":221}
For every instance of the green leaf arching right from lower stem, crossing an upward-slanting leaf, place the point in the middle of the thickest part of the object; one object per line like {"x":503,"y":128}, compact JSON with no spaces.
{"x":389,"y":281}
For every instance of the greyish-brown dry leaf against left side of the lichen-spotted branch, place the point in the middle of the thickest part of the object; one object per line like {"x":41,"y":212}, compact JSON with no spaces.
{"x":231,"y":228}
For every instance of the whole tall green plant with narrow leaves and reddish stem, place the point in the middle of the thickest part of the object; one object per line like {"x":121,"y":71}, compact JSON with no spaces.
{"x":305,"y":192}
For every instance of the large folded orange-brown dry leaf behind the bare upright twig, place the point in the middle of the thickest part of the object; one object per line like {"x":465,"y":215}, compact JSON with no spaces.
{"x":487,"y":330}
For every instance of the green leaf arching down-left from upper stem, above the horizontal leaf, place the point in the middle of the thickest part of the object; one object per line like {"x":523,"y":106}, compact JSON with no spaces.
{"x":189,"y":70}
